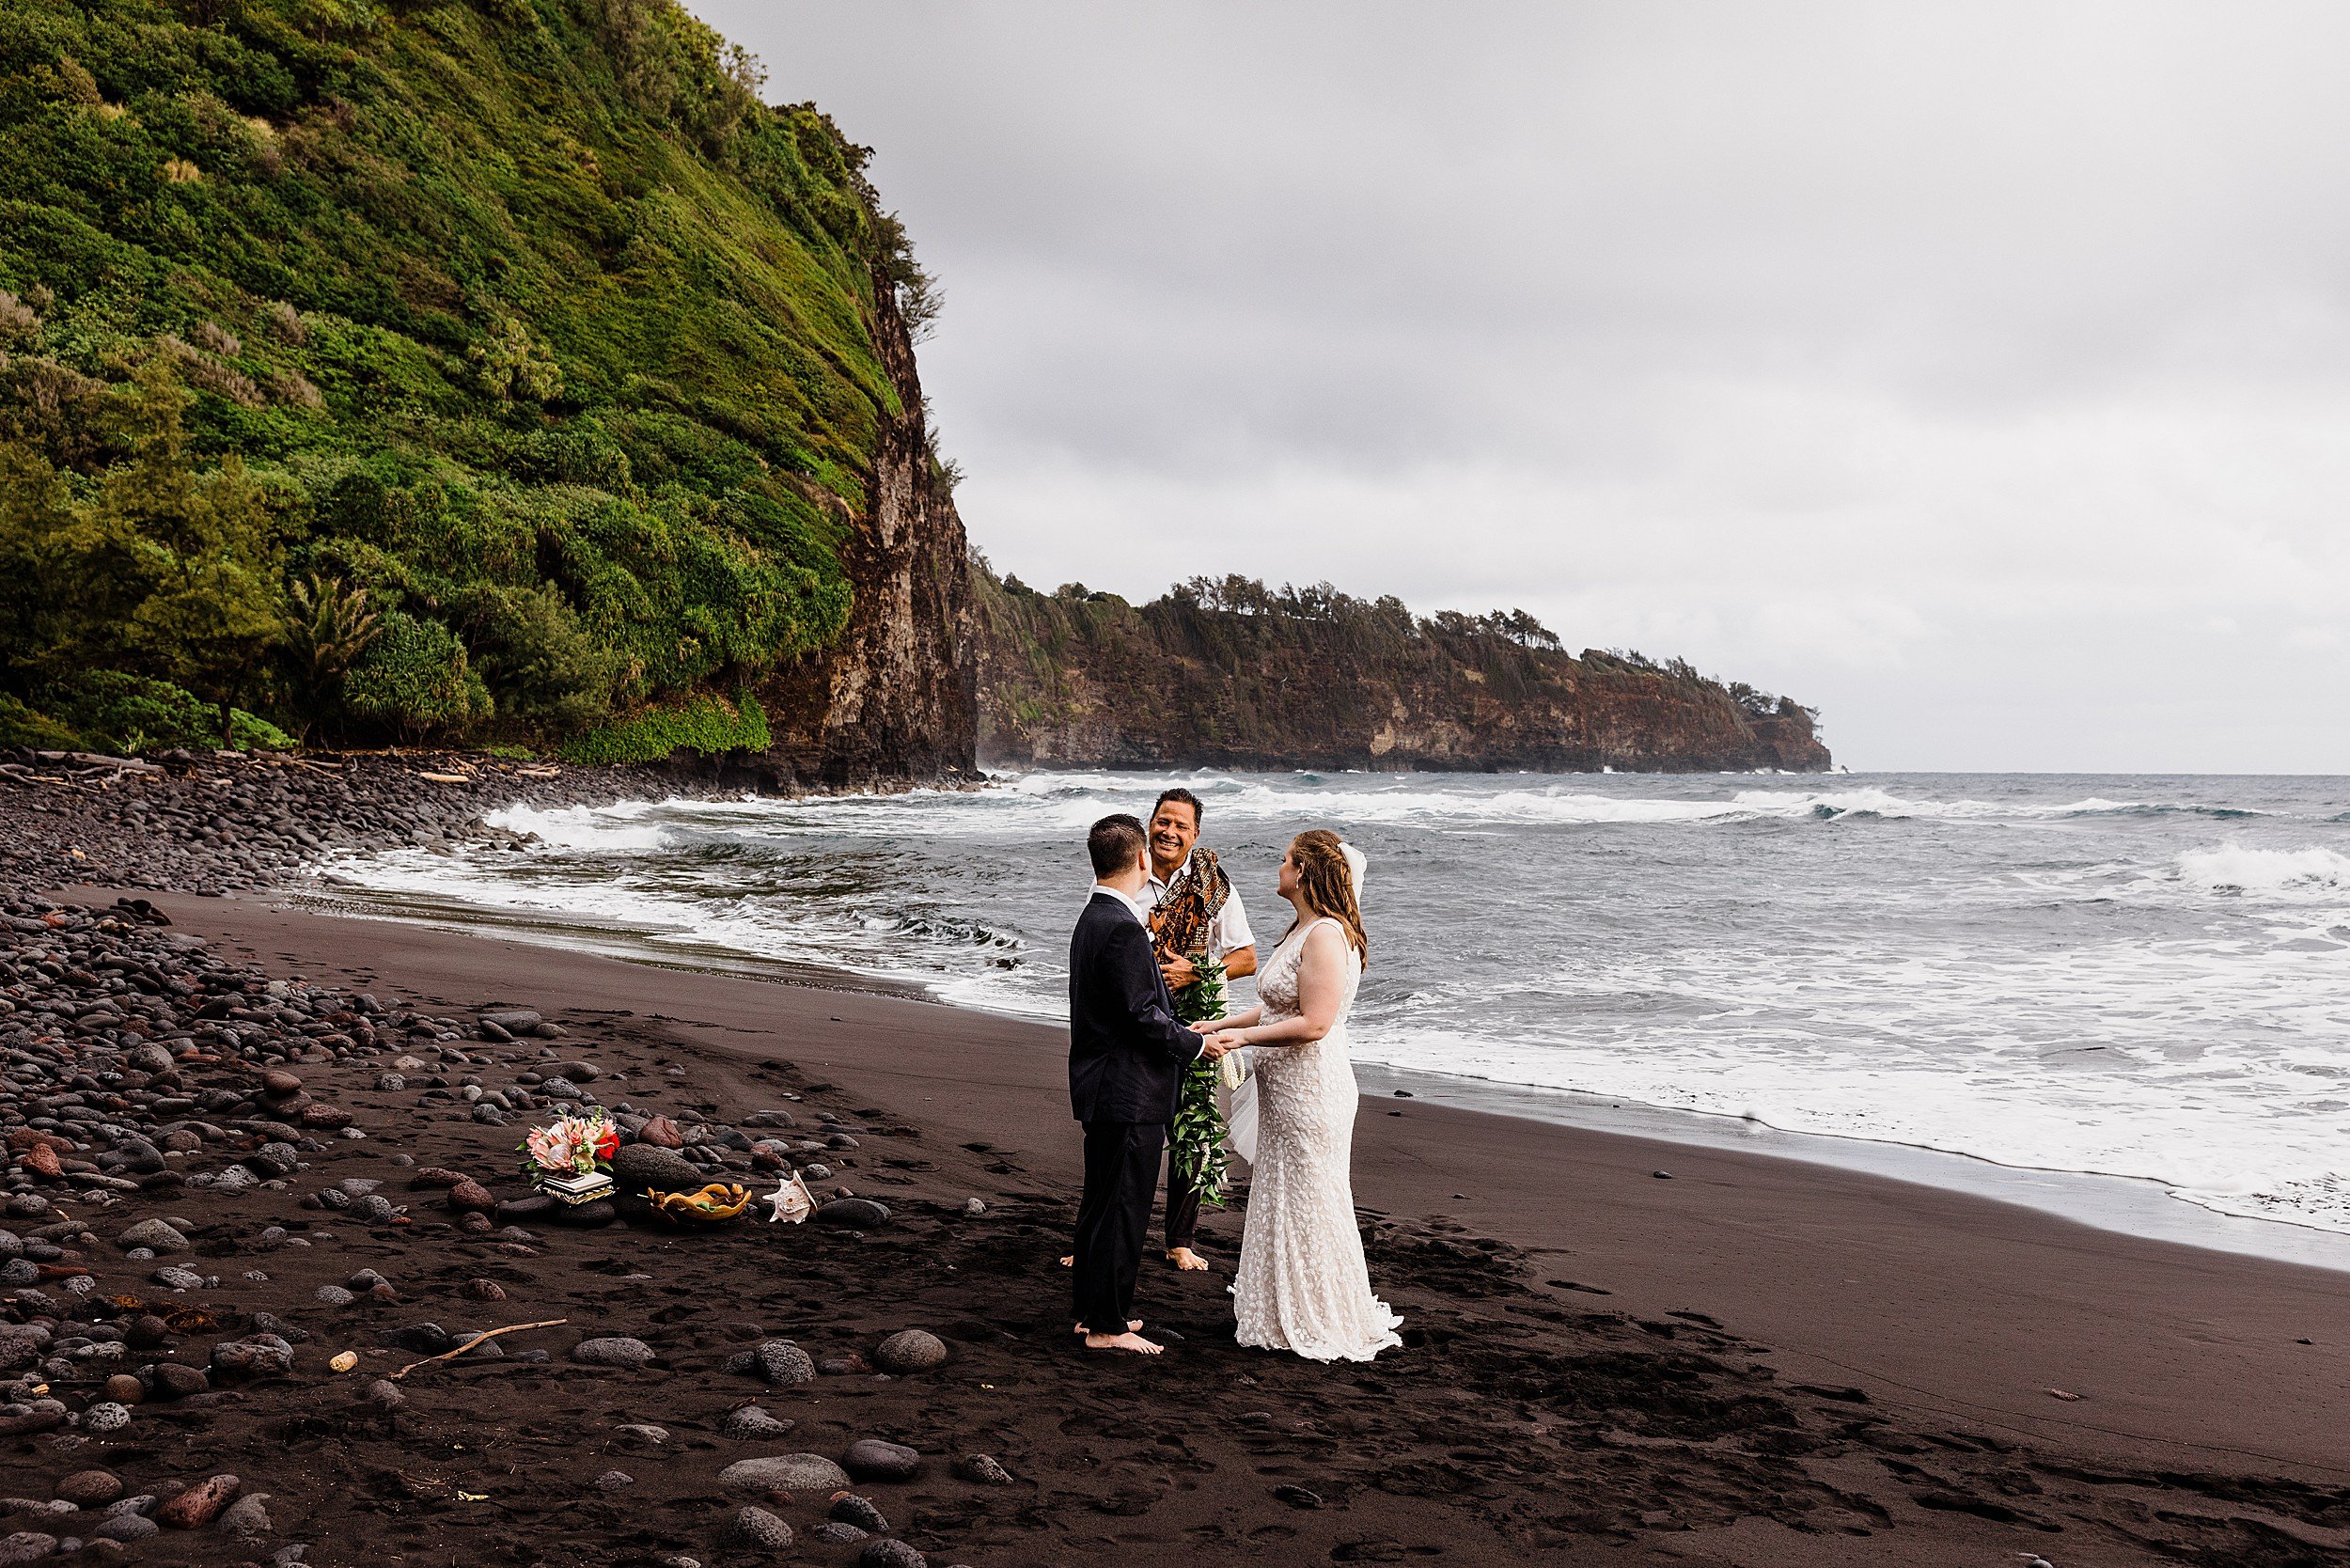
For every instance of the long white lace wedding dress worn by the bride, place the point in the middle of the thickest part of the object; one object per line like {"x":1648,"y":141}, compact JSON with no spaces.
{"x":1303,"y":1282}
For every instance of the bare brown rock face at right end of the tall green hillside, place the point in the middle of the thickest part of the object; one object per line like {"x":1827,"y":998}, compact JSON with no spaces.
{"x":894,"y":699}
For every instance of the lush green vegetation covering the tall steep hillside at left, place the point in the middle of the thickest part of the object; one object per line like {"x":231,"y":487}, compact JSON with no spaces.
{"x":422,"y":370}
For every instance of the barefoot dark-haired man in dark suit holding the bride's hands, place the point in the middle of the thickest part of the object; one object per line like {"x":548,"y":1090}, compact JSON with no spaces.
{"x":1127,"y":1061}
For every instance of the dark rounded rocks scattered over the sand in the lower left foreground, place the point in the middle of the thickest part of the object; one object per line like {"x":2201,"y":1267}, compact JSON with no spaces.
{"x":168,"y":1113}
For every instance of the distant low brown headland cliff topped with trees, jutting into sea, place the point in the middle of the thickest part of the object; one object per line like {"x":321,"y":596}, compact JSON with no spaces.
{"x":1092,"y":681}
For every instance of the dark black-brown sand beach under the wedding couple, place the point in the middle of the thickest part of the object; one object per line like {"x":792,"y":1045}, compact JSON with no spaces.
{"x":1735,"y":1362}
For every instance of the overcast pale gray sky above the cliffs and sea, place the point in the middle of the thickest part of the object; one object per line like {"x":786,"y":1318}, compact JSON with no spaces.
{"x":1978,"y":373}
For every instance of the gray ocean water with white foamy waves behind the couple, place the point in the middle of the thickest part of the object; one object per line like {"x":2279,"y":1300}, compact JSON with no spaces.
{"x":2111,"y":974}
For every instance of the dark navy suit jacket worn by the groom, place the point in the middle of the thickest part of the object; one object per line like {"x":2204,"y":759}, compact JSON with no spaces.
{"x":1127,"y":1052}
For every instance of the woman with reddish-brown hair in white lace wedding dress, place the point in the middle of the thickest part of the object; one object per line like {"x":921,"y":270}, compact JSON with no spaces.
{"x":1303,"y":1282}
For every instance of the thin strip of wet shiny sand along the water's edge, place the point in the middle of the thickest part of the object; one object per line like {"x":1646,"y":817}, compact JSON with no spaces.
{"x":2123,"y":1205}
